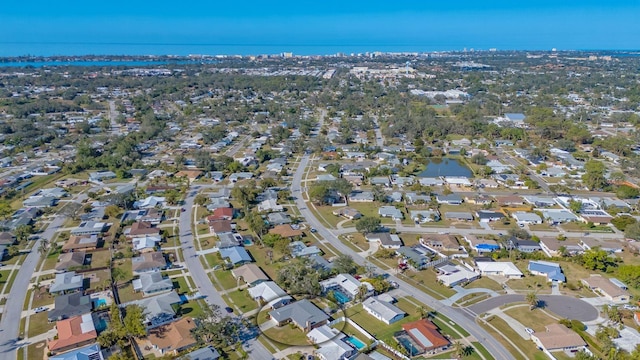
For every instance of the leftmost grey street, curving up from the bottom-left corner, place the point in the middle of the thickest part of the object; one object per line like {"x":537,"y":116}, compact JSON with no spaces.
{"x":10,"y":323}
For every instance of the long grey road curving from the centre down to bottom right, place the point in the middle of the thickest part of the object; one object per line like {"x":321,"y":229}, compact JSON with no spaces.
{"x":461,"y":318}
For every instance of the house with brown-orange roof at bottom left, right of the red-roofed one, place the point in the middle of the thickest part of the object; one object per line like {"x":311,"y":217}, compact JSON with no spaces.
{"x":173,"y":337}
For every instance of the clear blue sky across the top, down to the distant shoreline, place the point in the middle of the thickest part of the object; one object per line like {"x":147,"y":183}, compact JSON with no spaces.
{"x":443,"y":25}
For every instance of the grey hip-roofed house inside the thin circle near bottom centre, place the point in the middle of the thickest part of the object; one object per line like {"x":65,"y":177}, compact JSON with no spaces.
{"x":303,"y":314}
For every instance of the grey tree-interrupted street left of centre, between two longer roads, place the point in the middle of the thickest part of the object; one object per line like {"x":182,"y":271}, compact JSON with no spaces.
{"x":255,"y":349}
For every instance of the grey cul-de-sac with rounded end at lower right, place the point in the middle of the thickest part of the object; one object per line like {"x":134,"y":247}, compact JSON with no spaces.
{"x":564,"y":306}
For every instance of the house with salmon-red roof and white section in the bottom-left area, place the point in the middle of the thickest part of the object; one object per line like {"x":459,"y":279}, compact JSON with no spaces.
{"x":73,"y":333}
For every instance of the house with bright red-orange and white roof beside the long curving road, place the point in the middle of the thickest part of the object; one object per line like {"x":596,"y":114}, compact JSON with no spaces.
{"x":422,"y":336}
